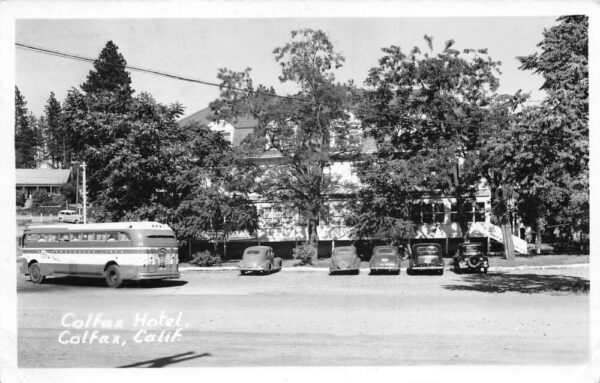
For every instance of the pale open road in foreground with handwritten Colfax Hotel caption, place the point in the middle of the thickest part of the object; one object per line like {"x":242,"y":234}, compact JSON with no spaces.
{"x":306,"y":318}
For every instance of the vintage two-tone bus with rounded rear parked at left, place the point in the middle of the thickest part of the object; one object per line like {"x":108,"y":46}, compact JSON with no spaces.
{"x":114,"y":251}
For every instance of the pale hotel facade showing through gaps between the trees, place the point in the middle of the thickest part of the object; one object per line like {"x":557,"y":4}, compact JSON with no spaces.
{"x":282,"y":227}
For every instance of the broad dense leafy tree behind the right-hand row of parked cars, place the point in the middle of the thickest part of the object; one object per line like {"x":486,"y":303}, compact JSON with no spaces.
{"x":425,"y":110}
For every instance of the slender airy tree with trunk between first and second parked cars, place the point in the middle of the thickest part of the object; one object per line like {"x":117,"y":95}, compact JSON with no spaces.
{"x":307,"y":129}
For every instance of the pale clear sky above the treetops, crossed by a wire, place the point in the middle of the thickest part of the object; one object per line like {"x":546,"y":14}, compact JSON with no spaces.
{"x":198,"y":47}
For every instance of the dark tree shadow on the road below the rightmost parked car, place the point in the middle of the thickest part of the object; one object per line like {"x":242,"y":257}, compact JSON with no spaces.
{"x":521,"y":283}
